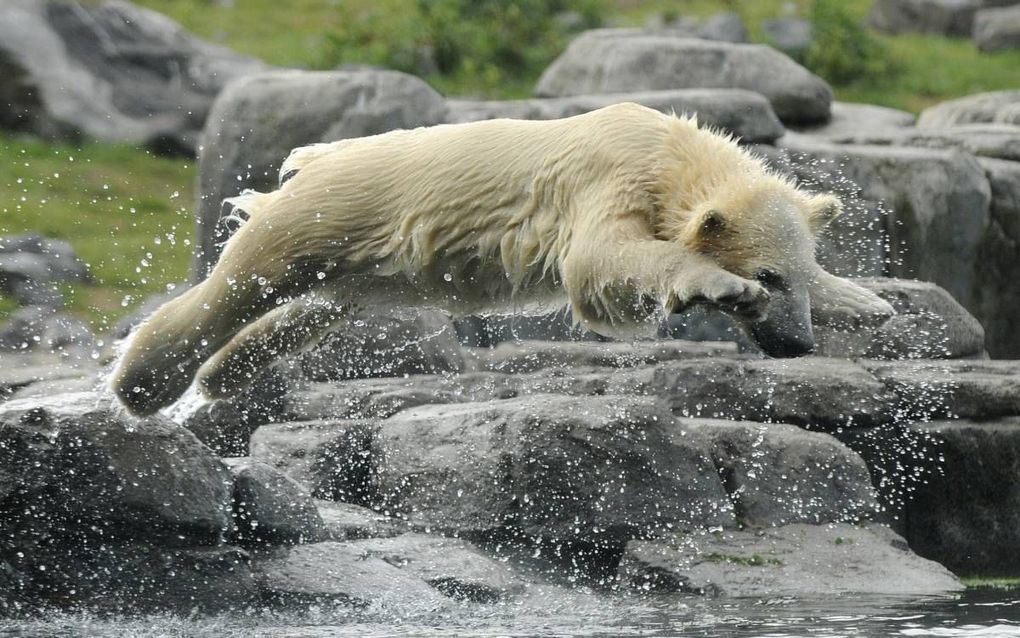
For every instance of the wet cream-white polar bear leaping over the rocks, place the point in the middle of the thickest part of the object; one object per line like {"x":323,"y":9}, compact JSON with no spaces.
{"x":623,"y":213}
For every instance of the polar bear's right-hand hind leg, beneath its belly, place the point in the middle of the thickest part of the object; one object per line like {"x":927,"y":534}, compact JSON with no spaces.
{"x":281,"y":332}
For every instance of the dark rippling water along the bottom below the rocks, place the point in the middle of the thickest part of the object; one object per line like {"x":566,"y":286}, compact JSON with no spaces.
{"x":558,"y":613}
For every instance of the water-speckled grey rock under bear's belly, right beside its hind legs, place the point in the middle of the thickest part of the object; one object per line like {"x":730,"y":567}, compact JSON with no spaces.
{"x":401,"y":341}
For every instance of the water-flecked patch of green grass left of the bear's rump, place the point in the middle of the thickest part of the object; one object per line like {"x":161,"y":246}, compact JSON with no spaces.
{"x":122,"y":209}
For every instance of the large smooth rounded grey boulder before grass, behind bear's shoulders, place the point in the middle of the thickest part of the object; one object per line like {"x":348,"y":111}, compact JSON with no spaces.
{"x":626,"y":61}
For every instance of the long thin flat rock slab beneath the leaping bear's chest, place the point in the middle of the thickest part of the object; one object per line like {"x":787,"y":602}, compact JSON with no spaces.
{"x":528,"y":357}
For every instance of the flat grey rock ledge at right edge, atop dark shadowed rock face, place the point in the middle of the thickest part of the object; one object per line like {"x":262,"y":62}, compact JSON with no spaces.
{"x":955,"y":389}
